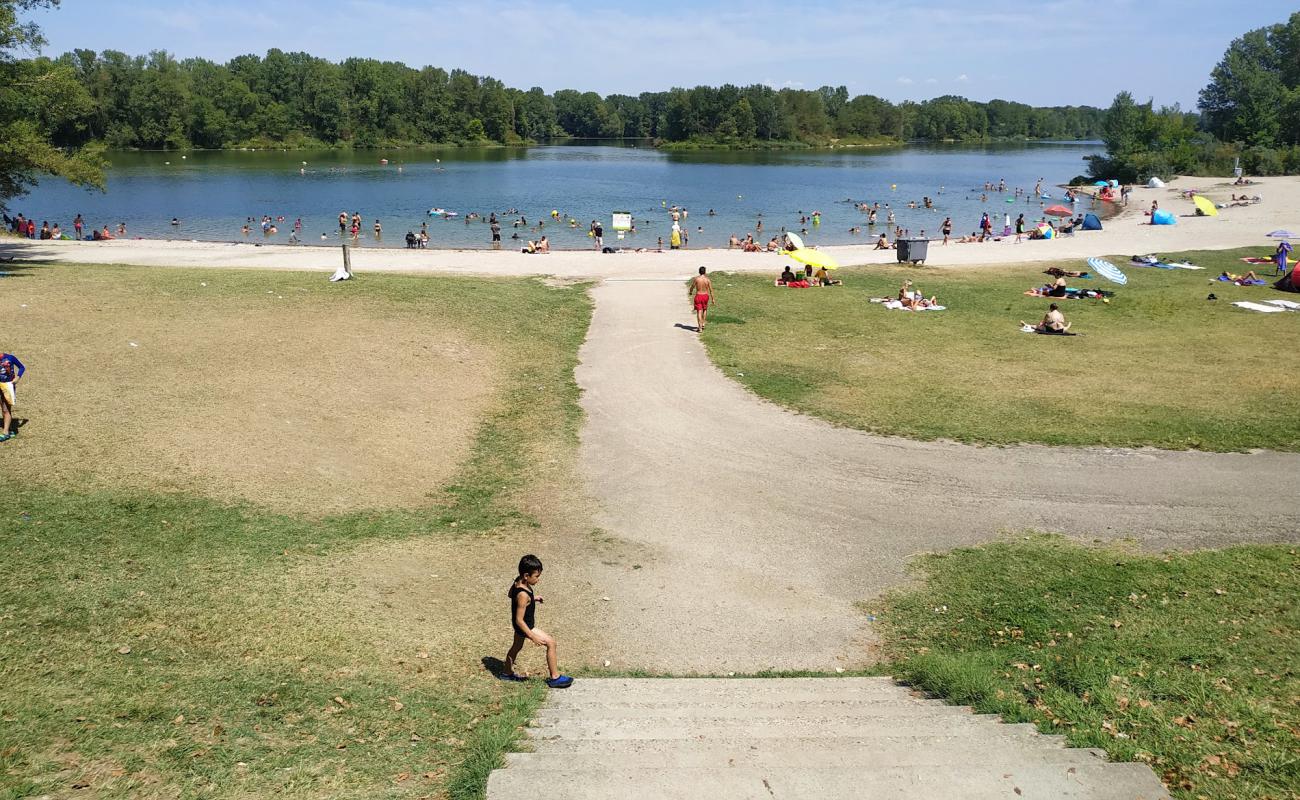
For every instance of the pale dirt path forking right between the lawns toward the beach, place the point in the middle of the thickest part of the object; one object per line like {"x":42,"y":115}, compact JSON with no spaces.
{"x":762,"y":529}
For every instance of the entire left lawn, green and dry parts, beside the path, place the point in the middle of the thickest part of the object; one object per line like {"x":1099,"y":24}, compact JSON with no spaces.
{"x":227,"y":638}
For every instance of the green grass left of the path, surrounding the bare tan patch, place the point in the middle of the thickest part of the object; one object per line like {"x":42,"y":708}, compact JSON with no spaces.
{"x":163,"y":646}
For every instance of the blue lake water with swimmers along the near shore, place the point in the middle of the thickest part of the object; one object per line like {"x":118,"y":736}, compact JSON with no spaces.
{"x":214,"y":193}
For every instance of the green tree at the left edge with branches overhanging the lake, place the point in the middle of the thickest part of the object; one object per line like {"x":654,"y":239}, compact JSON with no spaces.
{"x":37,"y":100}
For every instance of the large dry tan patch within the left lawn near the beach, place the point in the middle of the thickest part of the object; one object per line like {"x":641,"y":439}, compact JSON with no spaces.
{"x":284,"y":397}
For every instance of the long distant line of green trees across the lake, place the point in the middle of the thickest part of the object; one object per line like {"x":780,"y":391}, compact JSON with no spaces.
{"x":296,"y":100}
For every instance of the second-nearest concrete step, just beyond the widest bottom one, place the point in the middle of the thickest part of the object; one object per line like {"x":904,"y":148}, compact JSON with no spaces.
{"x":778,"y":756}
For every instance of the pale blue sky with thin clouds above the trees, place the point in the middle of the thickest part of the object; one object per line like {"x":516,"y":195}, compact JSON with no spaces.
{"x":1043,"y":53}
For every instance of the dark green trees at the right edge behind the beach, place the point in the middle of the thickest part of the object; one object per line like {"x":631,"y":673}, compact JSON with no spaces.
{"x":1250,"y":113}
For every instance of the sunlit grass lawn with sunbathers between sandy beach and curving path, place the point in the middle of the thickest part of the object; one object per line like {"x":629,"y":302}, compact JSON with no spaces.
{"x":1158,"y":366}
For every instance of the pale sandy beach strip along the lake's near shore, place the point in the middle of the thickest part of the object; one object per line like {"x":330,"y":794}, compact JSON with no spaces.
{"x":1125,"y":235}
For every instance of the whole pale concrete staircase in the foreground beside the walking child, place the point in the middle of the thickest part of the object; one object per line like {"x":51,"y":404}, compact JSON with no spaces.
{"x":805,"y":738}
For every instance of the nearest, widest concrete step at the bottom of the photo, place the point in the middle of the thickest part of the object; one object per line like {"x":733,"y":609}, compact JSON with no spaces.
{"x":969,"y":782}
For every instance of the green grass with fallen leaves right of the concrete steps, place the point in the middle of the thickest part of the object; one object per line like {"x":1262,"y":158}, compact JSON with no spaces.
{"x":1188,"y":663}
